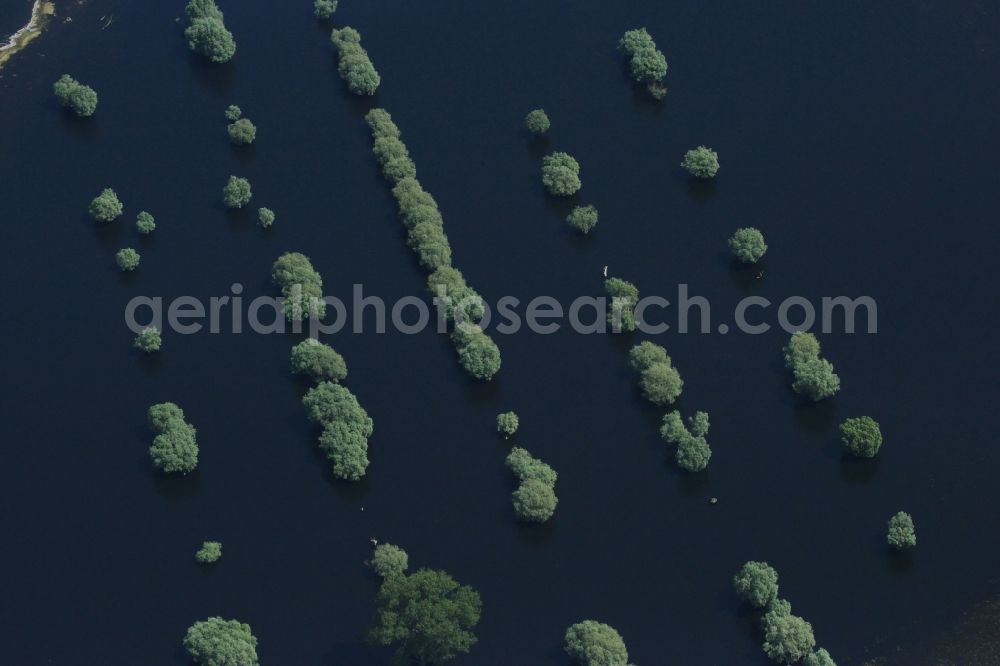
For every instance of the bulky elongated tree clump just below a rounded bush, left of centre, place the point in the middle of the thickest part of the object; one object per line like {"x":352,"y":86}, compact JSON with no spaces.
{"x":346,"y":428}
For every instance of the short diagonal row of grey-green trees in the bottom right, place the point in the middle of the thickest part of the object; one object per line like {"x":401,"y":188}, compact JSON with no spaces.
{"x":788,"y":639}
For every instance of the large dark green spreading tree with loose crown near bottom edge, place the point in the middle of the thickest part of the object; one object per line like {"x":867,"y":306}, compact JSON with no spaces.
{"x":428,"y":615}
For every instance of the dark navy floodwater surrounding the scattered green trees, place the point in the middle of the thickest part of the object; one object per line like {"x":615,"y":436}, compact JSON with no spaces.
{"x":860,"y":137}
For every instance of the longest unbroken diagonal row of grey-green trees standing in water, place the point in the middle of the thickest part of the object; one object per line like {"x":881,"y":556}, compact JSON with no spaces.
{"x":418,"y":211}
